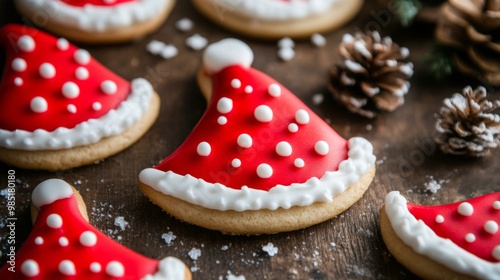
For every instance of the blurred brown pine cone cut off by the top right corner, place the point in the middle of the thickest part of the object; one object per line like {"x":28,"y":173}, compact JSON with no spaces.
{"x":471,"y":27}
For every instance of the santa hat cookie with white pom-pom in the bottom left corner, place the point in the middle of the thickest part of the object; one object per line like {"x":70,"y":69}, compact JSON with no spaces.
{"x":63,"y":245}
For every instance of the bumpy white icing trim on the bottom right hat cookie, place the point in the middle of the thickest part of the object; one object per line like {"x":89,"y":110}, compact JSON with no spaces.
{"x":424,"y":241}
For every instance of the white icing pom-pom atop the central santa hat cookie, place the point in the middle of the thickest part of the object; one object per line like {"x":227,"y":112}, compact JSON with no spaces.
{"x":225,"y":53}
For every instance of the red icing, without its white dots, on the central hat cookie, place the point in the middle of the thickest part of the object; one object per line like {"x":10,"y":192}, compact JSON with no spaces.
{"x":216,"y":168}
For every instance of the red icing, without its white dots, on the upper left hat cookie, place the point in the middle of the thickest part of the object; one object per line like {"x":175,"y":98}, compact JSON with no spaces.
{"x":15,"y":112}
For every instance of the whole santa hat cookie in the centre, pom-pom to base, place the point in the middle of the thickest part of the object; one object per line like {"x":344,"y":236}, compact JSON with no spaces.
{"x":259,"y":161}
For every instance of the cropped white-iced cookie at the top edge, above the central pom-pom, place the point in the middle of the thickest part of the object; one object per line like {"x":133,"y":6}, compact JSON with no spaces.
{"x":274,"y":19}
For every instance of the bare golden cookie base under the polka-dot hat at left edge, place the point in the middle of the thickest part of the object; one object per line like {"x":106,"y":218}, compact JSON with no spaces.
{"x":83,"y":155}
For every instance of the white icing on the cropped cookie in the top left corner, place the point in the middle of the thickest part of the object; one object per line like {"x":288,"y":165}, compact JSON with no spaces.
{"x":96,"y":18}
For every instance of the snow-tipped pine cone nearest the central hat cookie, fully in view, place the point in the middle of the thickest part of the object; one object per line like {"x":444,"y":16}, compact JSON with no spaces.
{"x":373,"y":76}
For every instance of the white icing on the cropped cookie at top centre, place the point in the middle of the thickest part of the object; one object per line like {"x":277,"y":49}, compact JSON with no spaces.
{"x":276,"y":10}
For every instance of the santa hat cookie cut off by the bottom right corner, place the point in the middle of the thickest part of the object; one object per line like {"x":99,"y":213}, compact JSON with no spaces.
{"x":454,"y":241}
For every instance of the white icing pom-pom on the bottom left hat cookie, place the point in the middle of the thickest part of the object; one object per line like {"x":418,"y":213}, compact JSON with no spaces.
{"x":49,"y":191}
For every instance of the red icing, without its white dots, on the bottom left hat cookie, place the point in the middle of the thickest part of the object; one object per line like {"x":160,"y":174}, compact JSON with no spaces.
{"x":50,"y":254}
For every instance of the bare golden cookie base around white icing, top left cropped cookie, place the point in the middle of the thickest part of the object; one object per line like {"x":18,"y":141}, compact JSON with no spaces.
{"x":112,"y":35}
